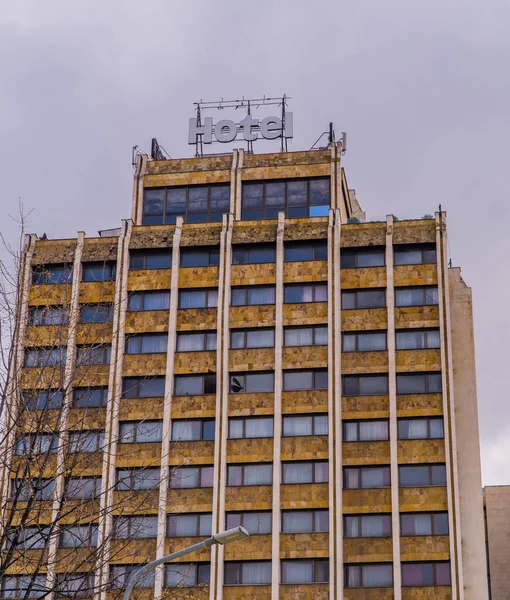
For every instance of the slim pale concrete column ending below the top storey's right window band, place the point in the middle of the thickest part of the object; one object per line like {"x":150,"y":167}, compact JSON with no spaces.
{"x":277,"y":410}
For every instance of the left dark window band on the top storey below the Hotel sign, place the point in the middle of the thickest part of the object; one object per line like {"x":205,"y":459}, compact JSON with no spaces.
{"x":195,"y":204}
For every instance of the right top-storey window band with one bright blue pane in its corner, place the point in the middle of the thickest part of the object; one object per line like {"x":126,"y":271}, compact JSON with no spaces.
{"x":296,"y":198}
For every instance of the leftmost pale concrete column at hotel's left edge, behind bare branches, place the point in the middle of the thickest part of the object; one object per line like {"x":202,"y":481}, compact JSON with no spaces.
{"x":13,"y":387}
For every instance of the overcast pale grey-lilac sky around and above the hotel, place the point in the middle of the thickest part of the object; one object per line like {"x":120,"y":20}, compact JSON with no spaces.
{"x":421,"y":87}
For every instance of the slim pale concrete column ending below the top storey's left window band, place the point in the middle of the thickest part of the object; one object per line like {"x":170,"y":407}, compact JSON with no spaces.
{"x":164,"y":481}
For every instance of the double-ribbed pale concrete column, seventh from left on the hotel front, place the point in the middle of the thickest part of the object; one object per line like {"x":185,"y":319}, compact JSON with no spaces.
{"x":335,"y":408}
